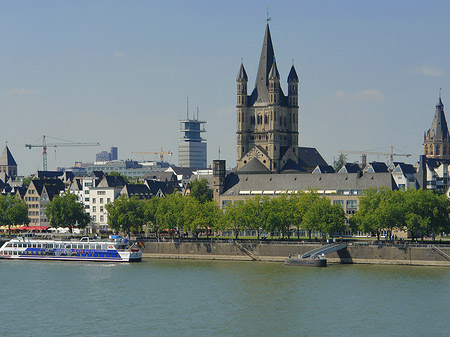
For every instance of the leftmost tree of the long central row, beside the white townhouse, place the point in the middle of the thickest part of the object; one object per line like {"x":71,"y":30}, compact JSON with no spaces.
{"x":126,"y":214}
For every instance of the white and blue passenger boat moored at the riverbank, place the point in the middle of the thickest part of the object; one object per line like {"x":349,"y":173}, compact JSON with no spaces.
{"x":33,"y":247}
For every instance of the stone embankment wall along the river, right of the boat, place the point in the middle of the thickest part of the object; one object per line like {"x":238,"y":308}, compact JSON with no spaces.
{"x":421,"y":255}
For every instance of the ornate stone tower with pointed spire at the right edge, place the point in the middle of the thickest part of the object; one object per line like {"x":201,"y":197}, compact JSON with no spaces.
{"x":437,"y":138}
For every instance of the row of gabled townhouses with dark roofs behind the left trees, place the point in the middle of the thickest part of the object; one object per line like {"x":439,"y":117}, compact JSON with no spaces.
{"x":94,"y":192}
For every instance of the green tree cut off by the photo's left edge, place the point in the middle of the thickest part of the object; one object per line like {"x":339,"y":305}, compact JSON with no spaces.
{"x":13,"y":211}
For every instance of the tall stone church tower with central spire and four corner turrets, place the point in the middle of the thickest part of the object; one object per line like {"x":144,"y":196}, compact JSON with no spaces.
{"x":267,"y":120}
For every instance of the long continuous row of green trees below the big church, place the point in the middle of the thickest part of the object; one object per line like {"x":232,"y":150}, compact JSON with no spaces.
{"x":197,"y":214}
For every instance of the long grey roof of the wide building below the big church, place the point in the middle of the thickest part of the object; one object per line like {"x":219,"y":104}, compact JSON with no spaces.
{"x":294,"y":182}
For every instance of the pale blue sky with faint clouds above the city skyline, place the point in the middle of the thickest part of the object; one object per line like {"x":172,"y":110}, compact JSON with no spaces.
{"x":119,"y":73}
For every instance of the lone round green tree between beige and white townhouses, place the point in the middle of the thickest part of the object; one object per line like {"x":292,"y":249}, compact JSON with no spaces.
{"x":66,"y":211}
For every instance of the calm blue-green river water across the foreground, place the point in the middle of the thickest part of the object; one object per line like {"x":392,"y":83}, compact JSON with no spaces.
{"x":216,"y":298}
